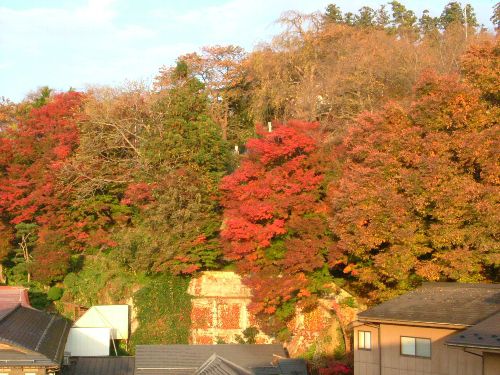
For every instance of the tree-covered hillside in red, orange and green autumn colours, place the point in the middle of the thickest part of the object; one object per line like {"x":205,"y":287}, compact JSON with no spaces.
{"x":355,"y":149}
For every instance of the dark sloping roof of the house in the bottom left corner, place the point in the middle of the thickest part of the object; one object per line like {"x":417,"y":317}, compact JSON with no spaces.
{"x":37,"y":331}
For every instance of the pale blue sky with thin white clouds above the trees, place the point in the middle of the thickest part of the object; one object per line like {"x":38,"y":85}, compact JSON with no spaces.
{"x":76,"y":43}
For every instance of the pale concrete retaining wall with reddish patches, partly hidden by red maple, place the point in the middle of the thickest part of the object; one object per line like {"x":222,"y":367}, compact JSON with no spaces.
{"x":220,"y":312}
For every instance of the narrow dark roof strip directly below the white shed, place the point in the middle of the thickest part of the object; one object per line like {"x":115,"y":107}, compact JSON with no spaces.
{"x":100,"y":366}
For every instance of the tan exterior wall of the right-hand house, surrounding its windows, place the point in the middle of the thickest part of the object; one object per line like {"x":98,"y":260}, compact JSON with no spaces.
{"x":444,"y":360}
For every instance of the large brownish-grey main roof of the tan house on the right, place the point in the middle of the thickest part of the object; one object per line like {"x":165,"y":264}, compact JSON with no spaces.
{"x":442,"y":303}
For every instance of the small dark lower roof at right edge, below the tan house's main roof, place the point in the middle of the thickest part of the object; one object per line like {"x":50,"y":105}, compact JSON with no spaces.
{"x":485,"y":334}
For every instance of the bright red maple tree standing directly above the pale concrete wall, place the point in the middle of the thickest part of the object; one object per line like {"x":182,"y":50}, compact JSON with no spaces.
{"x":274,"y":219}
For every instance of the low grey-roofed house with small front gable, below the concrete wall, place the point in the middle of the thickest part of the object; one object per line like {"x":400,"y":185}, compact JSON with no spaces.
{"x":224,"y":359}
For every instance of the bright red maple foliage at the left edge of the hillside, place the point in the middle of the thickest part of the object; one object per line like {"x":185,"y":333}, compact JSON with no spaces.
{"x":32,"y":155}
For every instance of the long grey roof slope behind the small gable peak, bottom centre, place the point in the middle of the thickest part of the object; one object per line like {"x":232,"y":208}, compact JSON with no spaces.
{"x":187,"y":359}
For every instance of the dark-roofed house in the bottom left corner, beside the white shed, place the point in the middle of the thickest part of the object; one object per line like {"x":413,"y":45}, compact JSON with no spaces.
{"x":31,"y":341}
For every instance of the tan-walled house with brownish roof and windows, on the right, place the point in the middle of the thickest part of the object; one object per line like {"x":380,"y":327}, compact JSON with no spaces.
{"x":431,"y":330}
